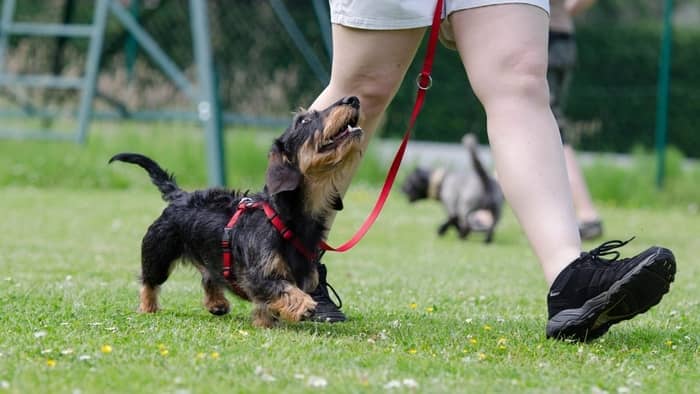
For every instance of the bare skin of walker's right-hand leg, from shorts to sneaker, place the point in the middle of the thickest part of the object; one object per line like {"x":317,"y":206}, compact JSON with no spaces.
{"x":510,"y":80}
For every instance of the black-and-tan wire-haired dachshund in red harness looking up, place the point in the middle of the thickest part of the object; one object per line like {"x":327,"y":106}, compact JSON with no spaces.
{"x":272,"y":251}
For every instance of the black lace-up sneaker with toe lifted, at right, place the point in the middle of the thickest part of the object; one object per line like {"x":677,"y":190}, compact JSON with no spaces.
{"x":593,"y":293}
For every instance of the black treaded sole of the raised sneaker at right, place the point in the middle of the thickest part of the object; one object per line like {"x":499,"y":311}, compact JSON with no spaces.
{"x":635,"y":293}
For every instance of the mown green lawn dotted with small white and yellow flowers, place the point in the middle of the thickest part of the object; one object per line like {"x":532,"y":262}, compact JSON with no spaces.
{"x":425,"y":314}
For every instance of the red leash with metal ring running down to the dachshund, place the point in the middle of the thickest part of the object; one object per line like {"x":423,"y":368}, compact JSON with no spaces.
{"x":424,"y":82}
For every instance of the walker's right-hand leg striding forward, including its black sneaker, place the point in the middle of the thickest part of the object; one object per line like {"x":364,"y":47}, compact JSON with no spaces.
{"x":504,"y":49}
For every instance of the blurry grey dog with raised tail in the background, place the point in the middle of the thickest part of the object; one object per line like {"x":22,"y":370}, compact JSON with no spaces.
{"x":461,"y":193}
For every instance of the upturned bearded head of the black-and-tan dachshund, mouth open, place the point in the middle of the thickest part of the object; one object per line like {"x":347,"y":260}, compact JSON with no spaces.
{"x":315,"y":151}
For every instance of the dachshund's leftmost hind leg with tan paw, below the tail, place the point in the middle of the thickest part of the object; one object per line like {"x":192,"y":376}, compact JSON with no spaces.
{"x":159,"y":250}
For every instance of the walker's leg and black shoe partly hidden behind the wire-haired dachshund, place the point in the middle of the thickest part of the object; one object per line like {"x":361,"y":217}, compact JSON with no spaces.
{"x":369,"y":64}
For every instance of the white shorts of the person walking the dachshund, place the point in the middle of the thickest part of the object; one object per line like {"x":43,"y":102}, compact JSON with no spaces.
{"x":408,"y":14}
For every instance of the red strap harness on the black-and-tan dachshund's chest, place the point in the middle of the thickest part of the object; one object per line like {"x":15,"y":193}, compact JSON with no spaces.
{"x":244,"y":205}
